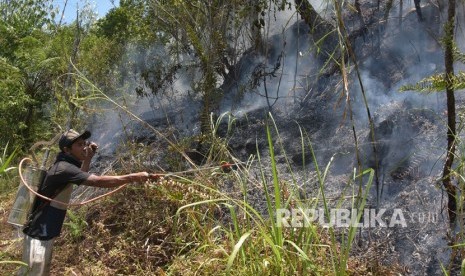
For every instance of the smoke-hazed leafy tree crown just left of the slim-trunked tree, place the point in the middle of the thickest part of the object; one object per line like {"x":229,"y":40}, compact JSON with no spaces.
{"x":127,"y":33}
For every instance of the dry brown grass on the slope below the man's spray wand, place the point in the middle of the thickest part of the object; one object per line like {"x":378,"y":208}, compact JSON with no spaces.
{"x":137,"y":232}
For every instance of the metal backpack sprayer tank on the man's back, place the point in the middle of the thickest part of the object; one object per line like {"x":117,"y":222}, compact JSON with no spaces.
{"x":34,"y":175}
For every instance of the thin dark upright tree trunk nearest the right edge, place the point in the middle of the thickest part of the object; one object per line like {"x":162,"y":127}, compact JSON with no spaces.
{"x":451,"y":124}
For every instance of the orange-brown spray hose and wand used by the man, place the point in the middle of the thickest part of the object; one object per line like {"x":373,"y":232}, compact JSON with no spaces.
{"x":225,"y":167}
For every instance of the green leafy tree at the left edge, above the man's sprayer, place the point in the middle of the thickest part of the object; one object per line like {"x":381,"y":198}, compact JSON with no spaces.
{"x":28,"y":68}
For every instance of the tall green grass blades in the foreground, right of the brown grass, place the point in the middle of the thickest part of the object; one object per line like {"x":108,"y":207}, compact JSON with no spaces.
{"x":253,"y":240}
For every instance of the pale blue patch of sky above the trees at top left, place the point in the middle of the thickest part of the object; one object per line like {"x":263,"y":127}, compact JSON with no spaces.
{"x":101,"y":7}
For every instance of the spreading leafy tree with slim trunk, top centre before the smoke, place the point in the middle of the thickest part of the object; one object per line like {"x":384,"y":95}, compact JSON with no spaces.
{"x":207,"y":38}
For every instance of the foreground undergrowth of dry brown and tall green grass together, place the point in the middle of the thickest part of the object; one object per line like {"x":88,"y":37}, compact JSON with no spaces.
{"x":219,"y":220}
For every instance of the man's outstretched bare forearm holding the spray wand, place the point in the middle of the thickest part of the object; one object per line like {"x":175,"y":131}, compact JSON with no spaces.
{"x":110,"y":181}
